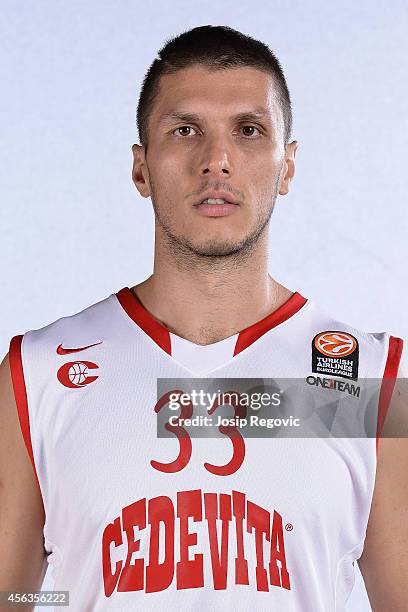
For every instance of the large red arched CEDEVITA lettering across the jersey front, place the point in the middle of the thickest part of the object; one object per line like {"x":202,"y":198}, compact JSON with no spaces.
{"x":224,"y":518}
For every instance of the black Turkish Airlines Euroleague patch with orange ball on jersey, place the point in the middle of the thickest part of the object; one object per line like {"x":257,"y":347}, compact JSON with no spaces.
{"x":335,"y":352}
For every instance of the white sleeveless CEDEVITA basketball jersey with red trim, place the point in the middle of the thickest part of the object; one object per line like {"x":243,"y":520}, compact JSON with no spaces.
{"x":140,"y":522}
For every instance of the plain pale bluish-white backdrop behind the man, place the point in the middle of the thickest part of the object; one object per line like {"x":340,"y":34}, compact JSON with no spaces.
{"x":72,"y":226}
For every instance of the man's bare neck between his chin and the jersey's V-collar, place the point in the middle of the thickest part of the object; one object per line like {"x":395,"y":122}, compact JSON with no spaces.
{"x":214,"y":299}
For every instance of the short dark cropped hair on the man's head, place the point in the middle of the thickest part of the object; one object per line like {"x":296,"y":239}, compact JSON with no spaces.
{"x":216,"y":48}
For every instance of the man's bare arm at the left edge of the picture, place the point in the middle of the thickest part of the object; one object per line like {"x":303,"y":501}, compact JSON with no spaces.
{"x":22,"y":554}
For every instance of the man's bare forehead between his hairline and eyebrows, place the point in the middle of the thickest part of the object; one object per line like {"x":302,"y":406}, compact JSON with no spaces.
{"x":216,"y":93}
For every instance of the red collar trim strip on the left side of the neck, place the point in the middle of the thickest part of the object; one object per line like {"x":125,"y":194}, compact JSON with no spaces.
{"x":142,"y":317}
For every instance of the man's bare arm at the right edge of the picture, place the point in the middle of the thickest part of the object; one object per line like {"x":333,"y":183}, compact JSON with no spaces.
{"x":384,"y":562}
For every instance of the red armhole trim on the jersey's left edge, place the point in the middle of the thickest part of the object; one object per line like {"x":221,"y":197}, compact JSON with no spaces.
{"x":20,"y":394}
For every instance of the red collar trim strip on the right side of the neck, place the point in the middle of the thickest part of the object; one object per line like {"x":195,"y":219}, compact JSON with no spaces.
{"x":250,"y":334}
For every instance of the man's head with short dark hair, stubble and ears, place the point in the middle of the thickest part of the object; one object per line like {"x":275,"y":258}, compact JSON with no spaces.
{"x":214,"y":114}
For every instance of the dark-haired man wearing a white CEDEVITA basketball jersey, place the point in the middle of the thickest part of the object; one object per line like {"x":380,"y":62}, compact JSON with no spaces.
{"x":130,"y":520}
